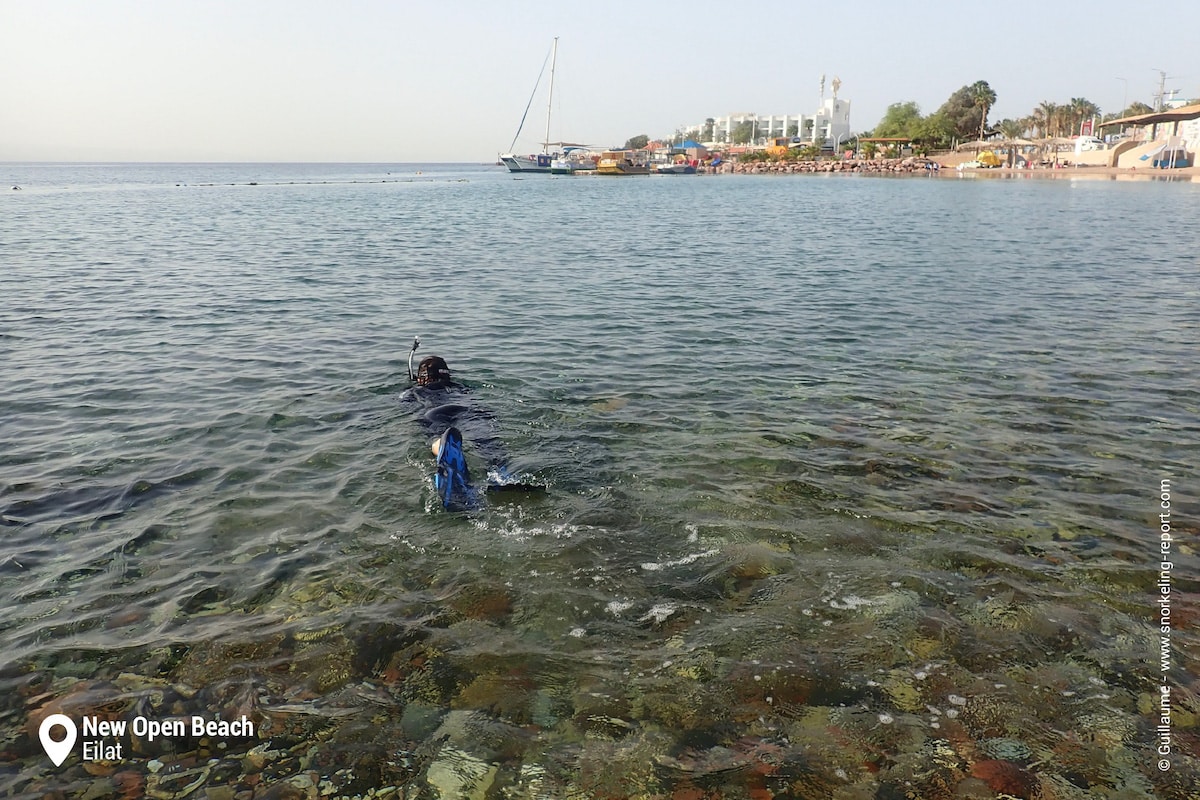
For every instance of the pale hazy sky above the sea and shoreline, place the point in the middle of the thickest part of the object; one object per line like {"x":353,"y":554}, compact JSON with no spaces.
{"x":409,"y":81}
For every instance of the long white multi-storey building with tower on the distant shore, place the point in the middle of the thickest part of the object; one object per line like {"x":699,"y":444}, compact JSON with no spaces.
{"x":829,"y":127}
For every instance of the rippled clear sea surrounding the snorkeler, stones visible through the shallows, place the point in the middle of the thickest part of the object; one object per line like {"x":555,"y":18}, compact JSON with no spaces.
{"x":850,"y":479}
